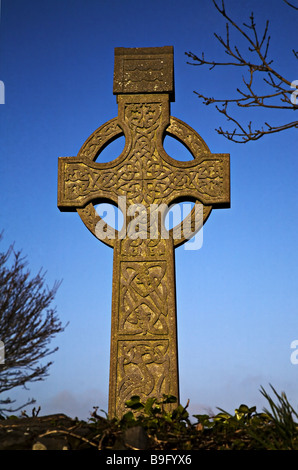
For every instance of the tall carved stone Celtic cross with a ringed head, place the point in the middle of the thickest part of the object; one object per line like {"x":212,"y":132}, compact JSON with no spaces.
{"x":144,"y":178}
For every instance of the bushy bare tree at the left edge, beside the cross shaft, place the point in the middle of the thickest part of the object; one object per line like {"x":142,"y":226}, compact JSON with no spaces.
{"x":27,"y":325}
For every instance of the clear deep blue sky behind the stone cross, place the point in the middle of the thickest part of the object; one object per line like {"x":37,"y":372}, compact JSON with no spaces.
{"x":236,"y":296}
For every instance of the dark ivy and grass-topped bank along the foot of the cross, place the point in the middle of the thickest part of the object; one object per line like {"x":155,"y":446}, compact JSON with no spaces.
{"x":149,"y":426}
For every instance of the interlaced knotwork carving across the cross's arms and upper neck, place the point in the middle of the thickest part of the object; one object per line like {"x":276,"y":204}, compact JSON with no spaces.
{"x":144,"y":176}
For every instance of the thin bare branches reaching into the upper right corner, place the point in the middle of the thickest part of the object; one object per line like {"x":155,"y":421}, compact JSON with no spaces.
{"x":279,"y":93}
